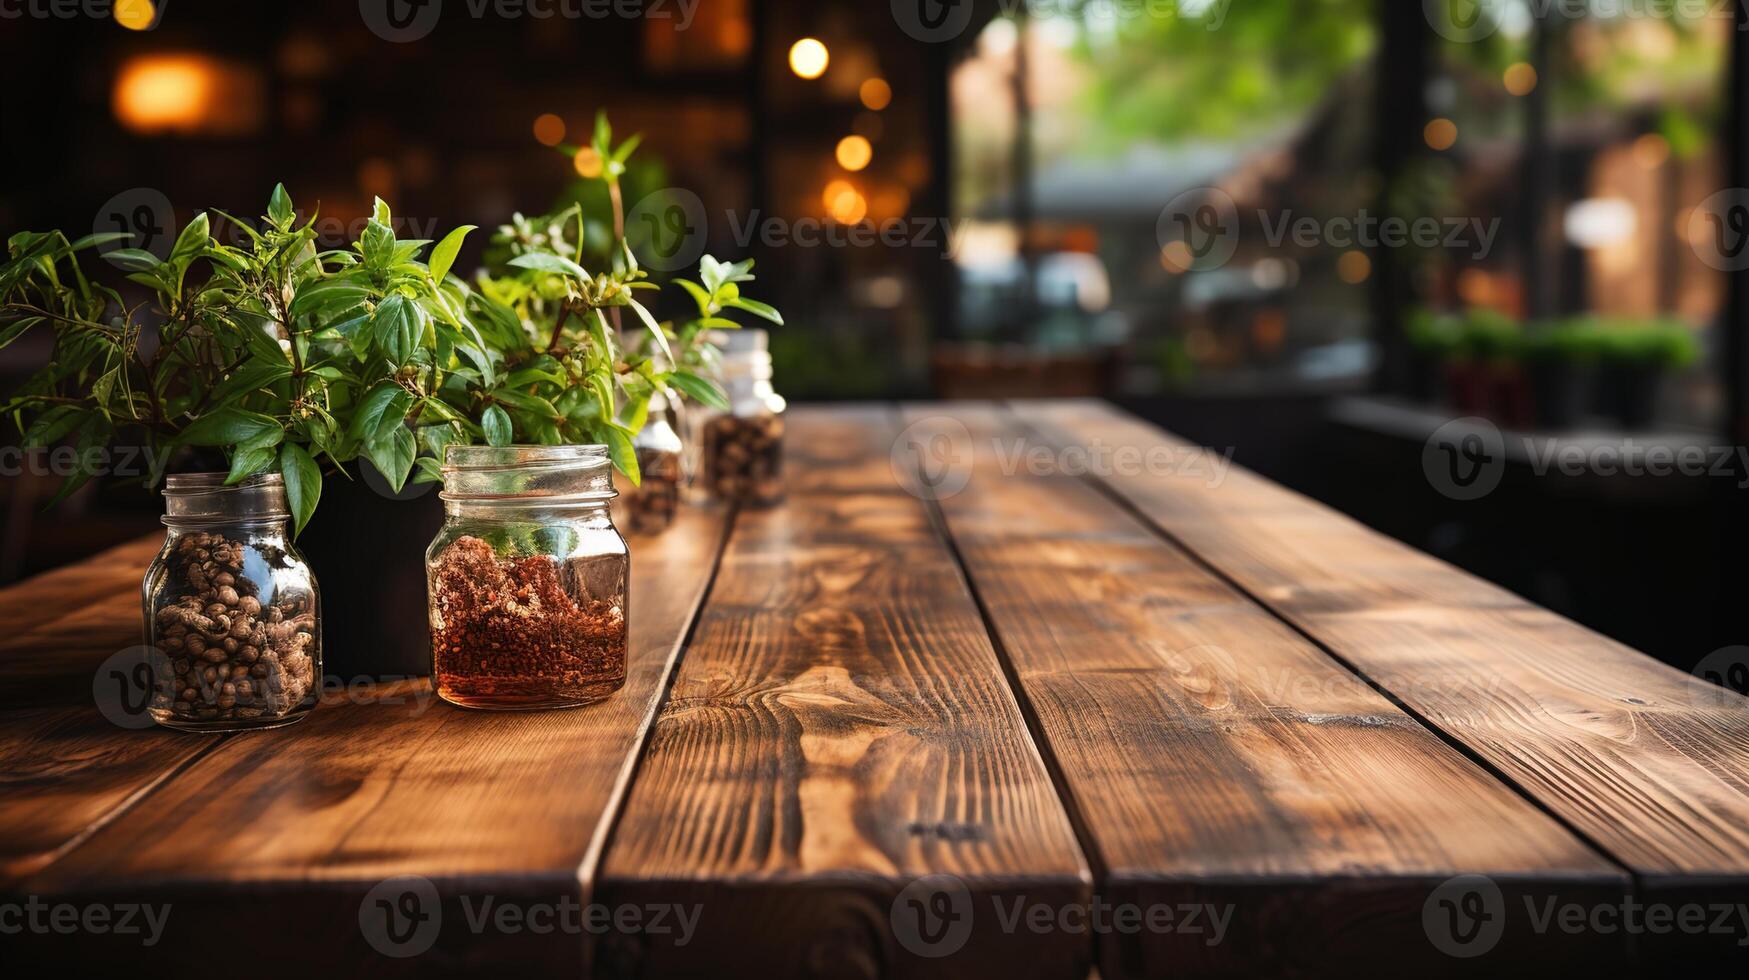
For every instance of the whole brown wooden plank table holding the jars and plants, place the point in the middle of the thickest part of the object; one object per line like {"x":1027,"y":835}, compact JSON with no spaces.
{"x":1164,"y":718}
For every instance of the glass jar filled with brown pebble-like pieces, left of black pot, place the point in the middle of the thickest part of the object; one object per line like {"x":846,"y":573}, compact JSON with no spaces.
{"x":233,"y":617}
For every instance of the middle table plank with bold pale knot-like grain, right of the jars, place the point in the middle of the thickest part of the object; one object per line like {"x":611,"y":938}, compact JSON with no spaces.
{"x":839,"y":734}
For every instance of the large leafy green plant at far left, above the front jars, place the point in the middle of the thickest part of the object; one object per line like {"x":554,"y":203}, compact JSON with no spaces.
{"x":270,"y":351}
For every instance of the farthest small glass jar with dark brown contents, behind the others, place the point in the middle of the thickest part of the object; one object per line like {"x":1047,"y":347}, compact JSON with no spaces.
{"x":744,"y":447}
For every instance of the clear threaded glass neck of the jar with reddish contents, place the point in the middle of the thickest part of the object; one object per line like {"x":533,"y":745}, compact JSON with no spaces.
{"x":529,"y":475}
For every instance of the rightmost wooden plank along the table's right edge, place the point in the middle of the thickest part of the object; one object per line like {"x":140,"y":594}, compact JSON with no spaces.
{"x":1605,"y":738}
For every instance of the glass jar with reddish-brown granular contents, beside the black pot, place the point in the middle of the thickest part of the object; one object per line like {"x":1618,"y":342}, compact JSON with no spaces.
{"x":527,"y":578}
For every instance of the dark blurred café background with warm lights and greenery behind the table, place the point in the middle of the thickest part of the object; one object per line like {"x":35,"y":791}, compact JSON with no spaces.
{"x":1022,"y":172}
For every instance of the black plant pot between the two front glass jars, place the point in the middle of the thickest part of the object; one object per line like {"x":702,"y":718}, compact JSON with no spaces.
{"x":368,"y":550}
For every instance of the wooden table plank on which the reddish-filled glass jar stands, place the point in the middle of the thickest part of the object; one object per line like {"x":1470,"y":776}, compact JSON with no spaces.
{"x":270,"y":844}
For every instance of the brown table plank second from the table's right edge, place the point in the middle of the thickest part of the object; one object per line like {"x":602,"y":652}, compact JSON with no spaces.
{"x":1222,"y":762}
